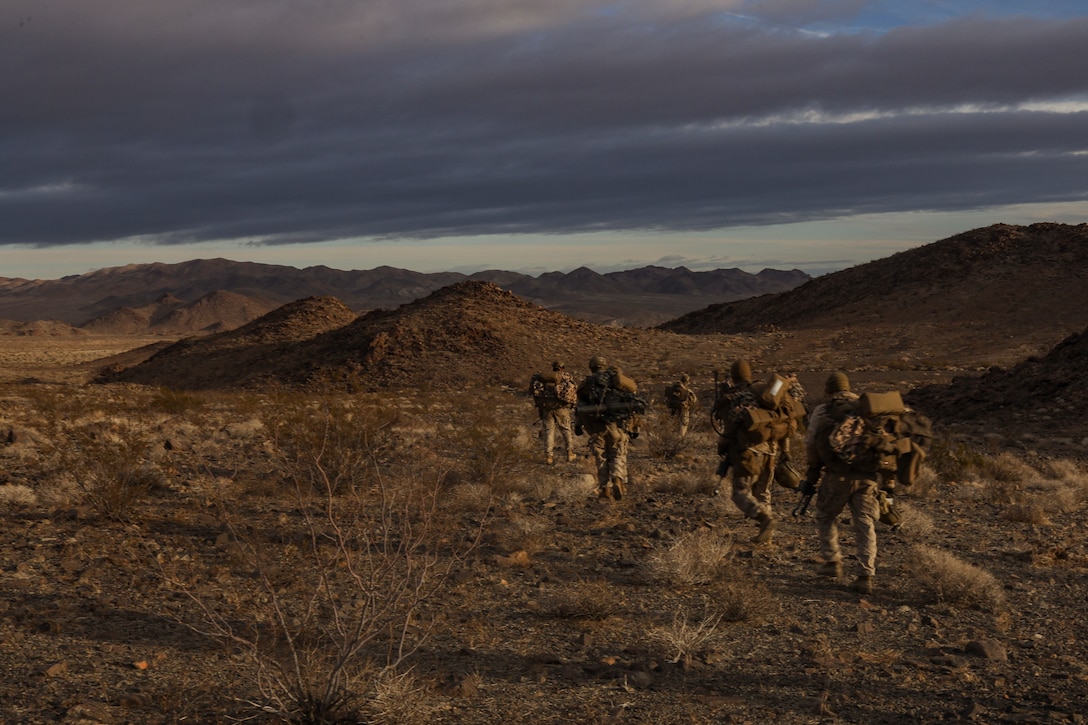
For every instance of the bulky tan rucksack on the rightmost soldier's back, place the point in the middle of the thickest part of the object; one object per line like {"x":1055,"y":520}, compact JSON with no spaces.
{"x":875,"y":435}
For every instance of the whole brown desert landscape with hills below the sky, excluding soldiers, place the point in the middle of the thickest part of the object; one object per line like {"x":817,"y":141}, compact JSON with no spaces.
{"x":234,"y":493}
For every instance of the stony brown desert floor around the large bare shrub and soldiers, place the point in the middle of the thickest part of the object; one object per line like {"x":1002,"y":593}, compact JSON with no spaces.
{"x":571,"y":609}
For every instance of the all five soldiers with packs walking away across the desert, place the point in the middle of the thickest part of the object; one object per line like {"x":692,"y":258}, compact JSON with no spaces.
{"x":756,"y":423}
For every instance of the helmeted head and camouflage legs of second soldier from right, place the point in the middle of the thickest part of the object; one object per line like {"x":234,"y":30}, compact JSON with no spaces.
{"x":753,"y":466}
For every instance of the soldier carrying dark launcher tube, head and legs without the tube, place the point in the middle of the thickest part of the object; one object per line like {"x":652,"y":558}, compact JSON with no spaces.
{"x":609,"y":438}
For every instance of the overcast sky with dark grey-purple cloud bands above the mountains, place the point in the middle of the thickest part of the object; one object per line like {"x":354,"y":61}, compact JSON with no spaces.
{"x":531,"y":136}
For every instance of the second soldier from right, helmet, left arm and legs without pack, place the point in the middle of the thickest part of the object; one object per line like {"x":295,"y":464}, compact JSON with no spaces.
{"x":752,"y":463}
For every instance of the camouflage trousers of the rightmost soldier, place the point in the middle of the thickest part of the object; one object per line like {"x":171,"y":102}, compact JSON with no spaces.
{"x":836,"y":493}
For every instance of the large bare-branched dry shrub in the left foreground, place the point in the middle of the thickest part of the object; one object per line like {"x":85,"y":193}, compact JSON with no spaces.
{"x":341,"y":589}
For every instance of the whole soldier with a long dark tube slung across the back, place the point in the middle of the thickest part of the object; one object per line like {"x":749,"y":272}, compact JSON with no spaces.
{"x":609,"y":411}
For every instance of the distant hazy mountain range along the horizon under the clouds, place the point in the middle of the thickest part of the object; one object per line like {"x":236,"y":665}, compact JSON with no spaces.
{"x":211,"y":294}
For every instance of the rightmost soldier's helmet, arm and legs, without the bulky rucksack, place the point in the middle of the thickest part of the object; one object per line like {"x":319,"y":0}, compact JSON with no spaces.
{"x":843,"y":487}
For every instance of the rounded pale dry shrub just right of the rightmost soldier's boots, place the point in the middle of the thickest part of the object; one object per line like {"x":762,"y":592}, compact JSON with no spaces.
{"x":953,"y":581}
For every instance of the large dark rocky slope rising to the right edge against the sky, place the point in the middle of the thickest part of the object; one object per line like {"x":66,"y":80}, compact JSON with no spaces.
{"x":988,"y":297}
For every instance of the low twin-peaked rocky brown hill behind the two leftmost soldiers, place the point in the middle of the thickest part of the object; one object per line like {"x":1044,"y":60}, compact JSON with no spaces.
{"x":465,"y":335}
